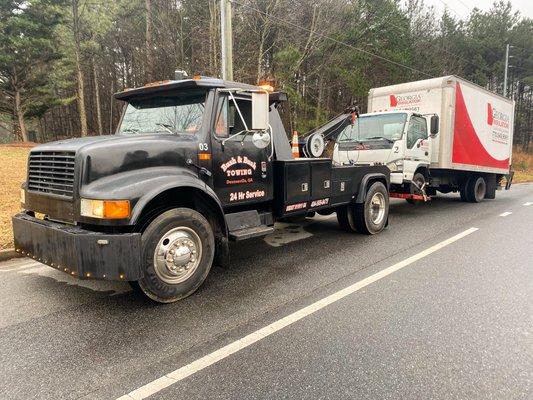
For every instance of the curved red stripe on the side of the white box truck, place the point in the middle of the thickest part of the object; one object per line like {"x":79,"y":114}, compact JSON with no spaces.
{"x":467,"y":148}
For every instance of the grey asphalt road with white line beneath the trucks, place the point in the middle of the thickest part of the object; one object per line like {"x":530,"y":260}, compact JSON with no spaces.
{"x":451,"y":323}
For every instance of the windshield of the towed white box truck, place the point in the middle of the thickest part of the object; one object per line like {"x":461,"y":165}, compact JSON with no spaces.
{"x":368,"y":127}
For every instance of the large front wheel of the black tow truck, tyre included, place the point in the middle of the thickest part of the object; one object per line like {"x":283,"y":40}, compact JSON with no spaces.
{"x":178,"y":248}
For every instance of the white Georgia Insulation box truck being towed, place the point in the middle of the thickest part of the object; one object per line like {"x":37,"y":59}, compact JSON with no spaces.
{"x":442,"y":134}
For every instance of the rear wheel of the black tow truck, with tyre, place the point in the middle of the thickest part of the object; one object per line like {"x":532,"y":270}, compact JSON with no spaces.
{"x":372,"y":215}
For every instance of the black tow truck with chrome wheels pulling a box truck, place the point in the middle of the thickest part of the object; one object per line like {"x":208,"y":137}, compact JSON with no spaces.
{"x":194,"y":164}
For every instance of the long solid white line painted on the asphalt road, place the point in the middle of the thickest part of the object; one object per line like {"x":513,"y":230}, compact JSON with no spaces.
{"x":181,"y":373}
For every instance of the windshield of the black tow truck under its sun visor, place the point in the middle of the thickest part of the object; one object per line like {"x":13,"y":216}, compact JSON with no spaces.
{"x":163,"y":115}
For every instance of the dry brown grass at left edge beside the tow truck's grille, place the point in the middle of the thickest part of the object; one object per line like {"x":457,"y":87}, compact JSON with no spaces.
{"x":12,"y":173}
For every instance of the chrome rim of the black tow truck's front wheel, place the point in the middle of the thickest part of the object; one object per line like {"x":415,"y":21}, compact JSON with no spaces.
{"x":177,"y":255}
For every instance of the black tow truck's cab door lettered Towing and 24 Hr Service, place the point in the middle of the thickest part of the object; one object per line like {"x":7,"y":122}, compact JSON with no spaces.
{"x":242,"y":172}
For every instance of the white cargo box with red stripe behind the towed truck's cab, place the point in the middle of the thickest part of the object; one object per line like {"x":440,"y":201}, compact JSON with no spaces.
{"x":476,"y":126}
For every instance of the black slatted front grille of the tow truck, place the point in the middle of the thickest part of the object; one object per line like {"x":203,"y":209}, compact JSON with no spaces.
{"x":51,"y":172}
